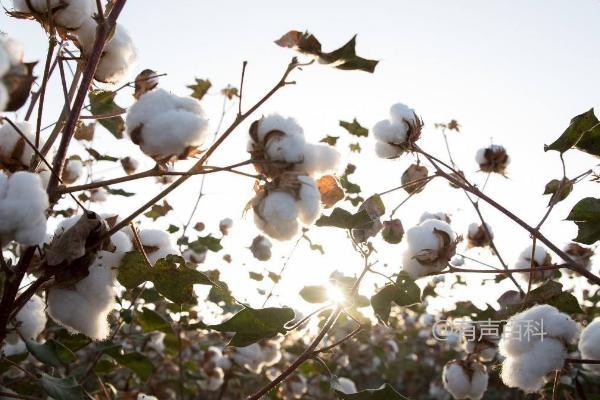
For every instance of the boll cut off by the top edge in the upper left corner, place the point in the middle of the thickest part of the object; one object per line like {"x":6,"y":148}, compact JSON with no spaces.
{"x":68,"y":14}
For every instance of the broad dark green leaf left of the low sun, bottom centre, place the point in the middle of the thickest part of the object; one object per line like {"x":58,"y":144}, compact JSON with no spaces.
{"x":251,"y":325}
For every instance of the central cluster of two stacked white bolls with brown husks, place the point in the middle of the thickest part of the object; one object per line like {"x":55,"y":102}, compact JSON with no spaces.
{"x":291,"y":198}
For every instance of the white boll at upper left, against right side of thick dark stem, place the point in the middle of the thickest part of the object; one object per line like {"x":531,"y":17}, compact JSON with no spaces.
{"x":118,"y":58}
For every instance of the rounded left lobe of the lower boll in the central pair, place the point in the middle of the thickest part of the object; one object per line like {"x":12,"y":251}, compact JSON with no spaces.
{"x":277,"y":215}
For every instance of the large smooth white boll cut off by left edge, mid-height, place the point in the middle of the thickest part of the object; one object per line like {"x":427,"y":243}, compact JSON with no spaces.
{"x":23,"y":204}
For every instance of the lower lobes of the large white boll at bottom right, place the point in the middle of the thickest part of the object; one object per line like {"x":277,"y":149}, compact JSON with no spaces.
{"x":527,"y":371}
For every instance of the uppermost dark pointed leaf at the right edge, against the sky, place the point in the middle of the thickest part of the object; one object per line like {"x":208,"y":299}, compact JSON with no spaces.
{"x":583,"y":133}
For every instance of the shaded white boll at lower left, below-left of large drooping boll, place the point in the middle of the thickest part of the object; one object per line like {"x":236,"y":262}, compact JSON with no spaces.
{"x":30,"y":321}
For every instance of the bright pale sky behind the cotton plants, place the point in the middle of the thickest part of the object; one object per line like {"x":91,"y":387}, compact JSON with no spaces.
{"x":514,"y":72}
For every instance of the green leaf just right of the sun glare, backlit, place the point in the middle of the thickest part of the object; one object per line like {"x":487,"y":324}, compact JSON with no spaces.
{"x":404,"y":292}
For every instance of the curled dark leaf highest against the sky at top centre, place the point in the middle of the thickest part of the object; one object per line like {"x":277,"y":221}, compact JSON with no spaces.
{"x":344,"y":58}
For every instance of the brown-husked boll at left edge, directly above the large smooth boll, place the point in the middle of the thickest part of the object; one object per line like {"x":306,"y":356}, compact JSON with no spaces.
{"x":14,"y":150}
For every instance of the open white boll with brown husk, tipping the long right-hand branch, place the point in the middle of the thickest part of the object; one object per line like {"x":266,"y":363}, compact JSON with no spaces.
{"x":398,"y":133}
